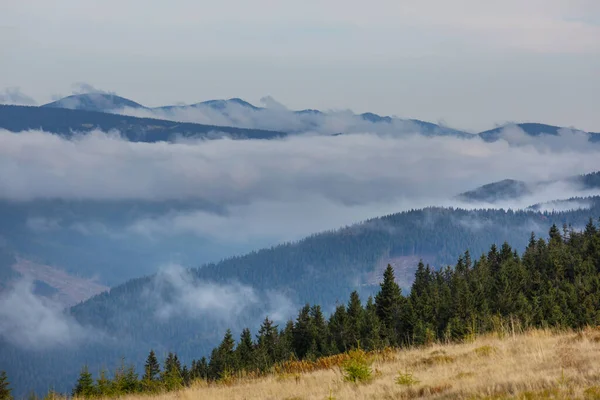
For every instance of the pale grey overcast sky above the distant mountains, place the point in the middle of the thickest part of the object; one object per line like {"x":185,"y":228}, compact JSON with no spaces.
{"x":470,"y":64}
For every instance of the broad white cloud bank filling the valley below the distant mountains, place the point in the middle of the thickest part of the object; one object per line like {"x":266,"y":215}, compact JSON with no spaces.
{"x":278,"y":190}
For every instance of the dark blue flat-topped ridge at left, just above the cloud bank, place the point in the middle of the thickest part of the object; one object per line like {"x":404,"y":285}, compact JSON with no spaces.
{"x":67,"y":122}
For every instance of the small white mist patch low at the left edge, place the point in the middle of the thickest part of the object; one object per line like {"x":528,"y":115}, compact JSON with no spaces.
{"x":34,"y":322}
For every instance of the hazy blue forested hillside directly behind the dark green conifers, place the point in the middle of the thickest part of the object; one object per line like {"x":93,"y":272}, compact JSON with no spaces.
{"x":321,"y":269}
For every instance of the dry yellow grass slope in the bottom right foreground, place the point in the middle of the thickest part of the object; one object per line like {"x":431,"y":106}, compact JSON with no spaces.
{"x":534,"y":365}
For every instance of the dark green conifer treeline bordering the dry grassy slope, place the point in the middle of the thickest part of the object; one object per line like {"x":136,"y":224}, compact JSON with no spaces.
{"x":555,"y":283}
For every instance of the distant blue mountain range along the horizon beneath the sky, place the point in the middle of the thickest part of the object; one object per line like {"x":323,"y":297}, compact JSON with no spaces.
{"x":234,"y":117}
